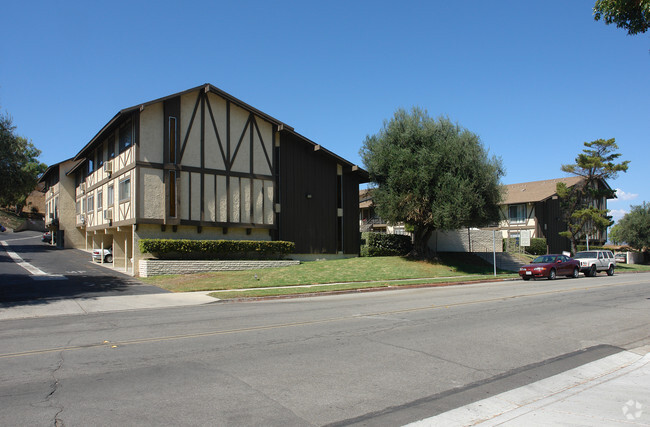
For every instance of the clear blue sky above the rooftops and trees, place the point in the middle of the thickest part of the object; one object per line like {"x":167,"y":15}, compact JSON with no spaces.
{"x":533,"y":82}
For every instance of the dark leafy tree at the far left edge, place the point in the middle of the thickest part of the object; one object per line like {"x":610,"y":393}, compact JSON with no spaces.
{"x":19,"y":166}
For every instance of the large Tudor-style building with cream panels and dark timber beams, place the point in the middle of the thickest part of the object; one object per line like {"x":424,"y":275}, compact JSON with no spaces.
{"x":202,"y":164}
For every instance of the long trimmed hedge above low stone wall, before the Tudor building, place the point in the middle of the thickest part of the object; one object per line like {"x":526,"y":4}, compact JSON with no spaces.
{"x":216,"y":249}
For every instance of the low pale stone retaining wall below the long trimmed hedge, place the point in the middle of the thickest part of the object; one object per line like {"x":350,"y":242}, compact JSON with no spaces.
{"x":155,"y":267}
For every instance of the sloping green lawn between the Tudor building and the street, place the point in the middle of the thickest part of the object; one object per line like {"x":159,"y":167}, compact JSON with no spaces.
{"x":379,"y":269}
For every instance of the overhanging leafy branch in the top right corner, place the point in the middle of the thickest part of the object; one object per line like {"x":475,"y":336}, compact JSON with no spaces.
{"x":632,"y":15}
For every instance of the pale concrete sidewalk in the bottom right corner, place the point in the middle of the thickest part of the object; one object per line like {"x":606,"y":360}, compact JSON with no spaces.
{"x":613,"y":391}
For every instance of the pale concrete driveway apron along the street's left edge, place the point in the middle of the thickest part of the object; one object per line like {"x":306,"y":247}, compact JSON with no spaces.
{"x":72,"y":306}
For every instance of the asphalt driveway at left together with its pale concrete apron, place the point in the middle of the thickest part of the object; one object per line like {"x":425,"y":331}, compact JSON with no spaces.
{"x":37,"y":280}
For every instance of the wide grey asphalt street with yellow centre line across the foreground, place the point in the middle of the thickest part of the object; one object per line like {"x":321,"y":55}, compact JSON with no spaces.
{"x":382,"y":358}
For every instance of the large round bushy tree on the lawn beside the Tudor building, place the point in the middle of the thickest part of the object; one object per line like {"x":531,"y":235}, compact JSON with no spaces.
{"x":431,"y":174}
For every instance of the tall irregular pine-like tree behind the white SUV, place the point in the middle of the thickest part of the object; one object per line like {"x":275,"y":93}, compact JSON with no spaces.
{"x":580,"y":207}
